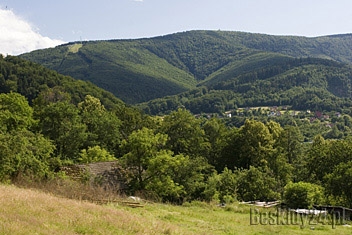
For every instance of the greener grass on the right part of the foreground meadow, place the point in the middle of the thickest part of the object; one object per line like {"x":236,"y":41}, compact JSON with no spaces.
{"x":201,"y":218}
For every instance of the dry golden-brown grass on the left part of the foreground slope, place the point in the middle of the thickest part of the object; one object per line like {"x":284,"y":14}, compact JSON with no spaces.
{"x":27,"y":211}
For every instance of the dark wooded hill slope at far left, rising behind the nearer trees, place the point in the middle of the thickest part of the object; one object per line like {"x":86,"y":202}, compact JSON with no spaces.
{"x":30,"y":79}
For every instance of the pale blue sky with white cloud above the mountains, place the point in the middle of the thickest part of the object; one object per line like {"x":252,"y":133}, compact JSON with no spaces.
{"x":27,"y":25}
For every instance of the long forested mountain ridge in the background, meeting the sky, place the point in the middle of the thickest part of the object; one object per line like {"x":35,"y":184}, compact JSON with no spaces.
{"x":142,"y":70}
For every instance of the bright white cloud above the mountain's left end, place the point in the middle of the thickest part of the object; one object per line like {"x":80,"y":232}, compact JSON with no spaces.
{"x":18,"y":36}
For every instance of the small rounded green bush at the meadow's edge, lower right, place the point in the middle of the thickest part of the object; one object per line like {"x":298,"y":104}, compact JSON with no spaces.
{"x":302,"y":195}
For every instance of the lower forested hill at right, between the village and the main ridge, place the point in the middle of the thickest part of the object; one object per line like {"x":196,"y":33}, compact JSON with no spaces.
{"x":266,"y":80}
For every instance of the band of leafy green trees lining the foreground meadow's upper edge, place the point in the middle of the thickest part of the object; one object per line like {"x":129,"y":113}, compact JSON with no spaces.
{"x":176,"y":158}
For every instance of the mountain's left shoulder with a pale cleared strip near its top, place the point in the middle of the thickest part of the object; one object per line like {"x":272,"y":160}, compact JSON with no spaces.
{"x":125,"y":68}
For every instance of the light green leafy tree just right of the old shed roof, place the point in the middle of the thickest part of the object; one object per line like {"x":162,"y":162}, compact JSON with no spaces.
{"x":151,"y":167}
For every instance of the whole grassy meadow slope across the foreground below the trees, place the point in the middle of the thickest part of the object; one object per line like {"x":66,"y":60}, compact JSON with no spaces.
{"x":26,"y":211}
